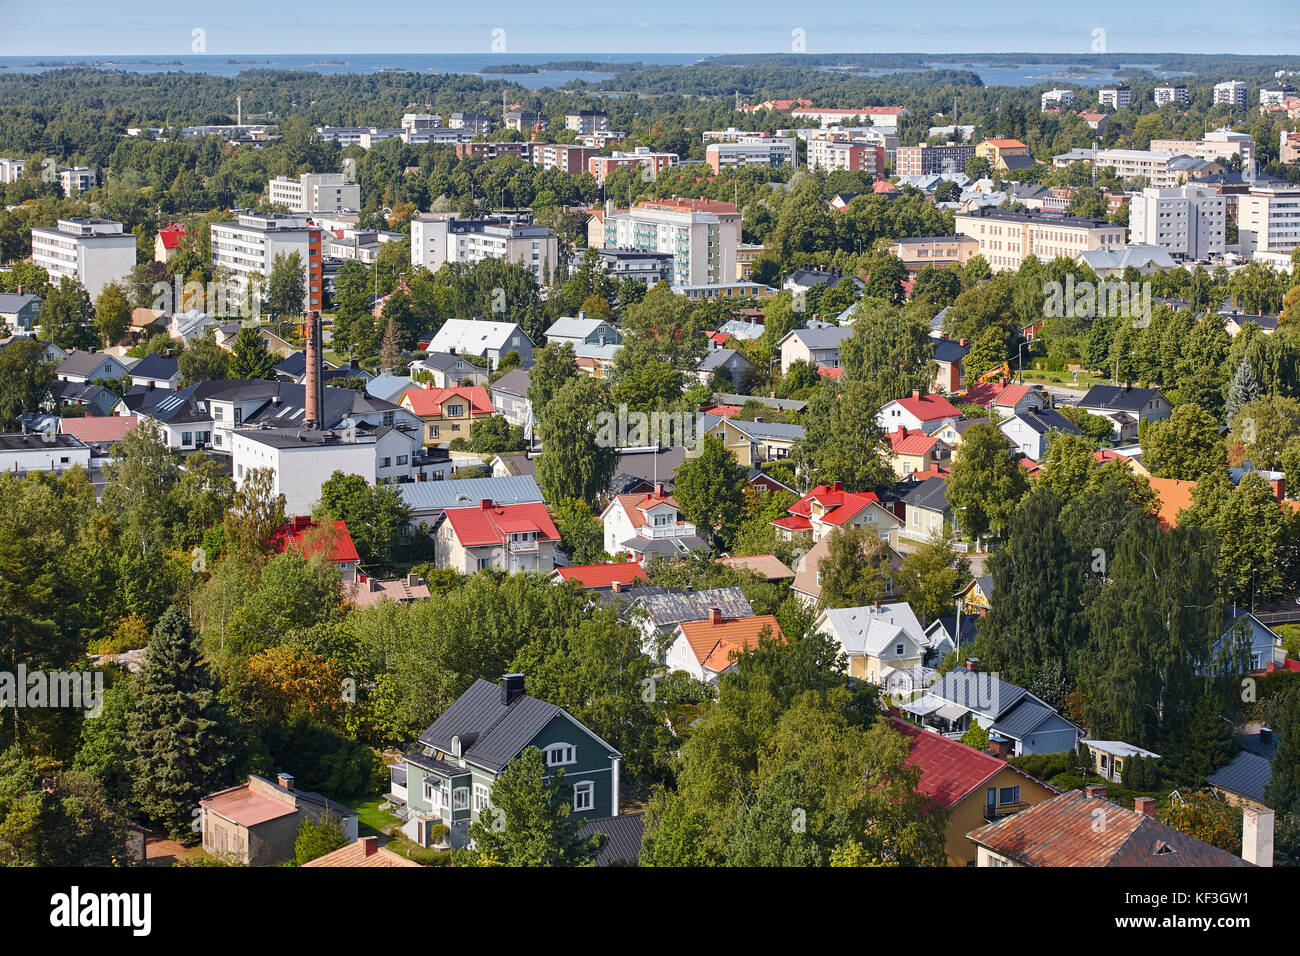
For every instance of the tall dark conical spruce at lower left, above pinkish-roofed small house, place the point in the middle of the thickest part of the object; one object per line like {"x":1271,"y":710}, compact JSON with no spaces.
{"x":177,"y":737}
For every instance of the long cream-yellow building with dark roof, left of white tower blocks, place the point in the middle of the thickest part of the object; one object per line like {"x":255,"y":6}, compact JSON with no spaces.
{"x":1007,"y":237}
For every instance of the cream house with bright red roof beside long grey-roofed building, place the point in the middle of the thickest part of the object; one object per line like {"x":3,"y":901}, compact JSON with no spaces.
{"x":491,"y":535}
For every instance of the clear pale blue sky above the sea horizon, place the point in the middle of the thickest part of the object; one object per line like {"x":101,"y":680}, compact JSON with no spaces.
{"x":162,"y":28}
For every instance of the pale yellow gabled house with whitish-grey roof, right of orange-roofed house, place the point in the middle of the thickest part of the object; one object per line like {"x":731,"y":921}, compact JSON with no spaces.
{"x":877,"y":639}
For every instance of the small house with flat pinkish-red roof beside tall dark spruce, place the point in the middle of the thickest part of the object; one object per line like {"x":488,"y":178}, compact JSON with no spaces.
{"x":257,"y":823}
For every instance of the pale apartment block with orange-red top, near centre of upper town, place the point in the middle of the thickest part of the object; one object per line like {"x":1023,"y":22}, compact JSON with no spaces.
{"x":701,"y":235}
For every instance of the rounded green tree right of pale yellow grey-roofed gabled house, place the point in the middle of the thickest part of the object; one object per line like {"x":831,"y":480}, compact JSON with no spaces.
{"x":986,"y":483}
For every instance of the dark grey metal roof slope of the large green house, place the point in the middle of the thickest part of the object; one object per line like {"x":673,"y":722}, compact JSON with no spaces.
{"x":491,"y":732}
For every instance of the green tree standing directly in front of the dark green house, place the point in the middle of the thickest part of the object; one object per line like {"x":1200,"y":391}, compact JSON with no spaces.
{"x":530,"y":823}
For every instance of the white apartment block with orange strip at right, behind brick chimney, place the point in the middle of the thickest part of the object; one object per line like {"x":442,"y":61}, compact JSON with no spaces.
{"x":250,"y":245}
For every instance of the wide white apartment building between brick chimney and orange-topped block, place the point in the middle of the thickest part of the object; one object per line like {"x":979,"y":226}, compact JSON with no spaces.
{"x":443,"y":237}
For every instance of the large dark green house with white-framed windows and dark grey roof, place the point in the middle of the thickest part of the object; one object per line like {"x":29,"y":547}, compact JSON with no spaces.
{"x":449,"y":778}
